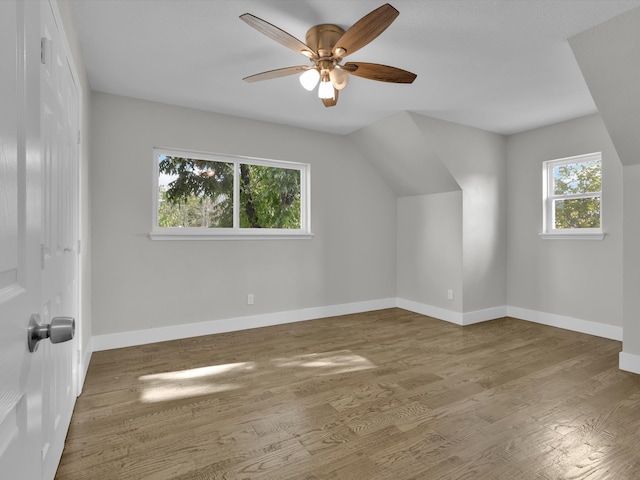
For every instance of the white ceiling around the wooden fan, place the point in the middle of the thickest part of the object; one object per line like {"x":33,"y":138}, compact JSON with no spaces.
{"x":503,"y":66}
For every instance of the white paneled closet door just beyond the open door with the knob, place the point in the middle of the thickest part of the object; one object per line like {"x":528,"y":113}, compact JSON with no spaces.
{"x":59,"y":234}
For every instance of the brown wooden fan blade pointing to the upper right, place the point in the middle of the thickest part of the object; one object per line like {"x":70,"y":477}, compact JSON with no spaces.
{"x":365,"y":30}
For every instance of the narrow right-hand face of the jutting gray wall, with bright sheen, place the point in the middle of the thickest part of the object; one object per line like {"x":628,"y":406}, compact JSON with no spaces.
{"x":476,"y":159}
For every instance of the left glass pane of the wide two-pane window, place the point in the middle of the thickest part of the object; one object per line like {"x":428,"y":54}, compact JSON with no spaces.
{"x":194,"y":193}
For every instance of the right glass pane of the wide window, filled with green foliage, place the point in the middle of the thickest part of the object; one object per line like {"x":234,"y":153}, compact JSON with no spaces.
{"x":269,"y":197}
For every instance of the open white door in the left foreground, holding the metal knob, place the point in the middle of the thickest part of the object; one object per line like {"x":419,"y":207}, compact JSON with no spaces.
{"x":20,"y":370}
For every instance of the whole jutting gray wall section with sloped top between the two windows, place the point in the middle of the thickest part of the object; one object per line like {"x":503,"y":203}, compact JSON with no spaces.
{"x":432,"y":164}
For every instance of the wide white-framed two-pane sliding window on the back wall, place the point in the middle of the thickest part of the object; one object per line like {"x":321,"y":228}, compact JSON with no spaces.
{"x":207,"y":196}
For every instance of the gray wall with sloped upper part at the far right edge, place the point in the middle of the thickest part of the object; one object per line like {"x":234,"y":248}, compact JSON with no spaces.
{"x":608,"y":57}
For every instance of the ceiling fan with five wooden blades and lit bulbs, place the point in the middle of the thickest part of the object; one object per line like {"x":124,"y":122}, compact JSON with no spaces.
{"x":326,"y":46}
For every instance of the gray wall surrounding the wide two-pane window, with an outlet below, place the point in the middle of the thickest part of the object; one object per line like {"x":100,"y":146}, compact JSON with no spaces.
{"x":139,"y":283}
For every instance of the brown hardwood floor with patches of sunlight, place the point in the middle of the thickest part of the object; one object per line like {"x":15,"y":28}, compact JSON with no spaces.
{"x":381,"y":395}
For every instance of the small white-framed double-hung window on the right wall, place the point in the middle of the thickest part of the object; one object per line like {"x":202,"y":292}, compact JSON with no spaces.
{"x":572,"y":190}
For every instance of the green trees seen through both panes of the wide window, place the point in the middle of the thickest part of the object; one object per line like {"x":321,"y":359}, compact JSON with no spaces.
{"x":194,"y":192}
